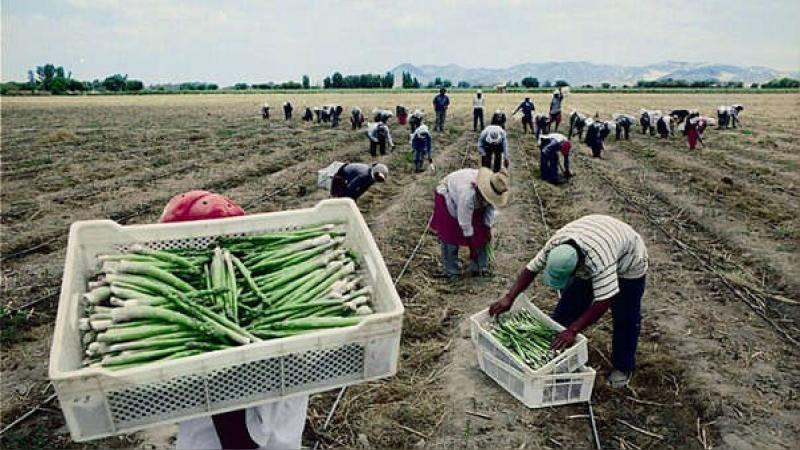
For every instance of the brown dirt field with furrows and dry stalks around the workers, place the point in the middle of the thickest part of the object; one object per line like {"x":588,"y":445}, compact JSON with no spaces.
{"x":718,"y":361}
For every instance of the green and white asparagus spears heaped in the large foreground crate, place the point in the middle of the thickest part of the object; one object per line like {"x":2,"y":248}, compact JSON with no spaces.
{"x":148,"y":305}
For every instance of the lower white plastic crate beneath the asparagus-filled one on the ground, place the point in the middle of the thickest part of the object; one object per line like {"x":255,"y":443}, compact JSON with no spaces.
{"x":540,"y":391}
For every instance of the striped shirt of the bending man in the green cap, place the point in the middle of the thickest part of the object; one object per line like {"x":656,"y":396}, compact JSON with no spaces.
{"x":611,"y":249}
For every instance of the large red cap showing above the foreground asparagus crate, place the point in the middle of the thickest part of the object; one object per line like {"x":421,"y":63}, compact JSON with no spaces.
{"x":199,"y":205}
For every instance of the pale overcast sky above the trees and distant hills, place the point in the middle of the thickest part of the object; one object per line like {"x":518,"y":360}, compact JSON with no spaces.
{"x":260,"y":40}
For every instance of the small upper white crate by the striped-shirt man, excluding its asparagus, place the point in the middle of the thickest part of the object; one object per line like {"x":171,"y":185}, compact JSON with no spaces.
{"x":568,"y":361}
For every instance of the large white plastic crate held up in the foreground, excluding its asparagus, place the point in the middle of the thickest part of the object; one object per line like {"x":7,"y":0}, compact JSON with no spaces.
{"x":97,"y":402}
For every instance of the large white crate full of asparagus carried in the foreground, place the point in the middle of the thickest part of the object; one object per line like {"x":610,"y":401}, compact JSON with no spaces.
{"x":161,"y":323}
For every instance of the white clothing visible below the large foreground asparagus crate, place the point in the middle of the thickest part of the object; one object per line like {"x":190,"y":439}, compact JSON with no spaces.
{"x":273,"y":426}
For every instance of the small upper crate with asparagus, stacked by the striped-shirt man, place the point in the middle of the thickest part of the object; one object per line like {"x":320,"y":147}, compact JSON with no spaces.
{"x":520,"y":339}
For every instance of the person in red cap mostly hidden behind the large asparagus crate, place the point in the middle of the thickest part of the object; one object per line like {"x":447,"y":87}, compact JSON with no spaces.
{"x":274,"y":425}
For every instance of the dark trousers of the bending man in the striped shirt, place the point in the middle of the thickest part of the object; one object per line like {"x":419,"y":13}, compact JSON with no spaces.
{"x":626,"y":313}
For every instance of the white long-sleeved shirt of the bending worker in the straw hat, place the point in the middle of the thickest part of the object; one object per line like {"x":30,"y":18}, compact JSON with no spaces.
{"x":460,"y":190}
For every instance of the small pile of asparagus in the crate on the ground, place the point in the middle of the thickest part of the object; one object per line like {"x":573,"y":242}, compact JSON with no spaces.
{"x":527,"y":337}
